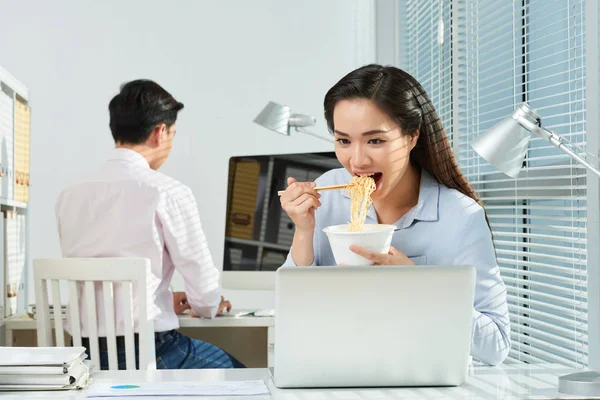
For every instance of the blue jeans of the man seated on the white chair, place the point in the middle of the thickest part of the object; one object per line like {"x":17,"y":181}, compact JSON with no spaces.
{"x":176,"y":351}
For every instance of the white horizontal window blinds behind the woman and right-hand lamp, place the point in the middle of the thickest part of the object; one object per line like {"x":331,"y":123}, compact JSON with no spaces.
{"x":506,"y":52}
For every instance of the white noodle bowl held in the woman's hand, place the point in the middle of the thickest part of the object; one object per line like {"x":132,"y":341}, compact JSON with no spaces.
{"x":374,"y":237}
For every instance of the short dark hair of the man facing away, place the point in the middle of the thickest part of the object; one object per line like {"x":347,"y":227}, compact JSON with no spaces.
{"x":138,"y":108}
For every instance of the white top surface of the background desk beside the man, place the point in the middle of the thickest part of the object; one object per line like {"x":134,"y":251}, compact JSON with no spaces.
{"x":25,"y":322}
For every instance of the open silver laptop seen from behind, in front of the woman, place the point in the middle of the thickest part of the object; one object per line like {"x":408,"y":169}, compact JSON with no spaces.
{"x":388,"y":326}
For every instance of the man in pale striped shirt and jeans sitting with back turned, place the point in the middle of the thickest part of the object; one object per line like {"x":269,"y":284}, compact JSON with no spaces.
{"x":127,"y":208}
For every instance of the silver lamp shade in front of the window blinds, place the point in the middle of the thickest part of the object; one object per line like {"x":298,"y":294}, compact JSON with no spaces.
{"x":505,"y":144}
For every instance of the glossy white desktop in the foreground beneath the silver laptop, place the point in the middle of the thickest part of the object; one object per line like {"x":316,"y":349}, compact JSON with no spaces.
{"x":505,"y":382}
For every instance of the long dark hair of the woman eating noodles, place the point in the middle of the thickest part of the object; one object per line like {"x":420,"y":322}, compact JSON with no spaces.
{"x":404,"y":100}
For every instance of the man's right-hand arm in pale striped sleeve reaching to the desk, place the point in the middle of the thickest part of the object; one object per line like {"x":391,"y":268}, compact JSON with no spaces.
{"x":188,"y":249}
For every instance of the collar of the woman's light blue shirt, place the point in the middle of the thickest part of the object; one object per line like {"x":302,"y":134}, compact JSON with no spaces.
{"x":427,"y":208}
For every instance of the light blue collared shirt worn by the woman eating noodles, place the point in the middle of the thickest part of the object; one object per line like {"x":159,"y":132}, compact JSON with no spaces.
{"x":444,"y":228}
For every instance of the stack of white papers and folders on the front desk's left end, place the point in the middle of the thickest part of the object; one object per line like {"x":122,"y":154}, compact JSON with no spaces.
{"x":43,"y":368}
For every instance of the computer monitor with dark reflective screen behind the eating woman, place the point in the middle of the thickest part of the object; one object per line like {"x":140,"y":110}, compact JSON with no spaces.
{"x":258,"y":233}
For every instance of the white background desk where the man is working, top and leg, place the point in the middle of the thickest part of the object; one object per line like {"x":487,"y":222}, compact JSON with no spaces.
{"x":25,"y":322}
